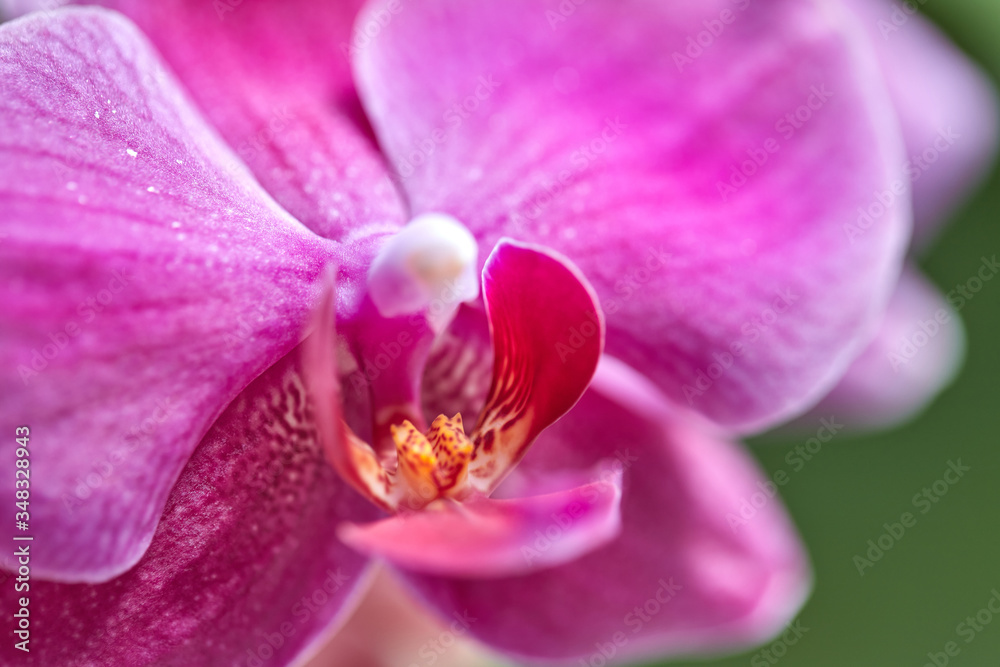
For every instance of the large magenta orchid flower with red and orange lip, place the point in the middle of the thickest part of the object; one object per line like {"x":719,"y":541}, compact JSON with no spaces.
{"x":485,"y":292}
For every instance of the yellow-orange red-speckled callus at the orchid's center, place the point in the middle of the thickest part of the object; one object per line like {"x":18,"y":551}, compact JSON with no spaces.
{"x":434,"y":464}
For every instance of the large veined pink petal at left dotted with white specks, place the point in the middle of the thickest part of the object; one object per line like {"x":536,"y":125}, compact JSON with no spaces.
{"x":143,"y":285}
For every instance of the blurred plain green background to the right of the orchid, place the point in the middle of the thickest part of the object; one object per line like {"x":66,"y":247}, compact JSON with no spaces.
{"x":944,"y":568}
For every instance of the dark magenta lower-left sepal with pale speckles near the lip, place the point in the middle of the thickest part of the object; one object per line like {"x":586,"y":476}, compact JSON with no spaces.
{"x":244,"y":564}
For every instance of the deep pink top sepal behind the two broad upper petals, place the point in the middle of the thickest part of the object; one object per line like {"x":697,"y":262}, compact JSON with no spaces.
{"x":273,"y":76}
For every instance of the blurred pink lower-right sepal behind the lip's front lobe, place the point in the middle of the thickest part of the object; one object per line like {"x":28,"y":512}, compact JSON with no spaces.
{"x":687,"y":573}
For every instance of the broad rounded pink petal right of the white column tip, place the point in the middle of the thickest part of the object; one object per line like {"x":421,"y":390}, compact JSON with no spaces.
{"x":573,"y":126}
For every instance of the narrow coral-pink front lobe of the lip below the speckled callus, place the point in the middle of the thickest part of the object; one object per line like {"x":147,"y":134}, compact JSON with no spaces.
{"x":485,"y":538}
